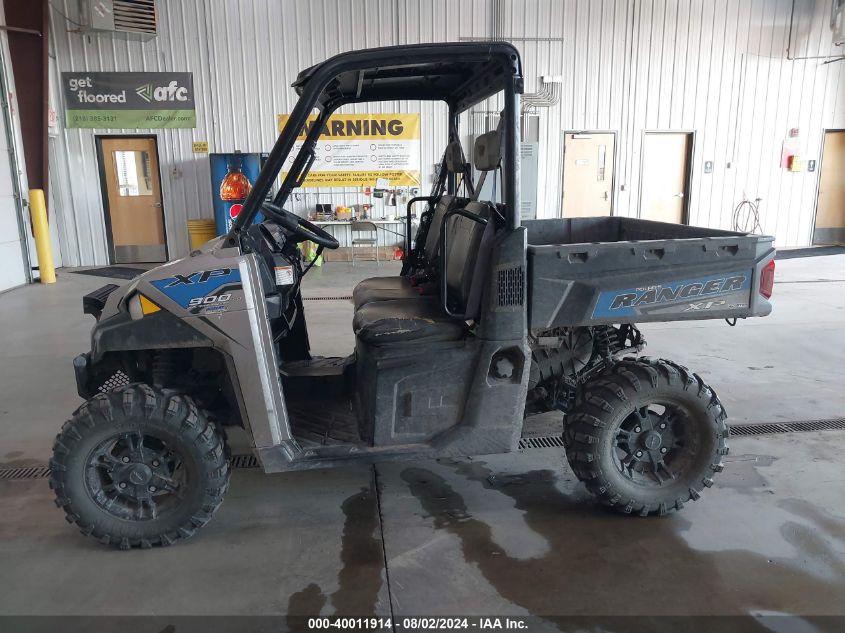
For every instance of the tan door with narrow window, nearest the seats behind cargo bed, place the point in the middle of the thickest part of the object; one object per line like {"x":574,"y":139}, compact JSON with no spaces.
{"x":588,"y":160}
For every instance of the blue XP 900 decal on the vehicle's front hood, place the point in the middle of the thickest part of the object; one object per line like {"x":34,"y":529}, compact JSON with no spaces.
{"x":203,"y":290}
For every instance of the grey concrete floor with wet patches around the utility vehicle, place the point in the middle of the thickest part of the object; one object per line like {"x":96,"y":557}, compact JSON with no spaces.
{"x":510,"y":534}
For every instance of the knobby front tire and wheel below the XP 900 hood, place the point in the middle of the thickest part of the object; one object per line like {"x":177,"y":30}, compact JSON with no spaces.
{"x":139,"y":467}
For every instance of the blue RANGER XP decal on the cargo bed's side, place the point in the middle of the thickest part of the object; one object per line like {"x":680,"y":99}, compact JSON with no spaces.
{"x":730,"y":290}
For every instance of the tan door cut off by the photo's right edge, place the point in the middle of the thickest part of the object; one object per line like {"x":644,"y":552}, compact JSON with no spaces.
{"x":830,"y":209}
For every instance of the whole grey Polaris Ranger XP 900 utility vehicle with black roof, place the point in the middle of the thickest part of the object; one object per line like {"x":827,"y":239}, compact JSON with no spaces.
{"x":491,"y":320}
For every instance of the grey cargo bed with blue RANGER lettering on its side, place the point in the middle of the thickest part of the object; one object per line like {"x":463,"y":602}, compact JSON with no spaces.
{"x":590,"y":271}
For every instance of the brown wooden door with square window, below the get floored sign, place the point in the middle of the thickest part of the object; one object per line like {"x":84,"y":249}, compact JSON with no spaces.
{"x":134,"y":214}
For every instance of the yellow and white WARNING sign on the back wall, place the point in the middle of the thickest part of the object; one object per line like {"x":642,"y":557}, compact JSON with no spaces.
{"x":356,"y":150}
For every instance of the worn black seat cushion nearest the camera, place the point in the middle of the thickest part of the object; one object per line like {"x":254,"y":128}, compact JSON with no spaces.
{"x":406,"y":320}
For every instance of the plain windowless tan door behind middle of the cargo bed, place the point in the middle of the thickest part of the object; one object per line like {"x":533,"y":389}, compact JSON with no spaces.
{"x":665,"y":176}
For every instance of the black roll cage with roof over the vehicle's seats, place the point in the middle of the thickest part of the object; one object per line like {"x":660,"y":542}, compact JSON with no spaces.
{"x":459,"y":74}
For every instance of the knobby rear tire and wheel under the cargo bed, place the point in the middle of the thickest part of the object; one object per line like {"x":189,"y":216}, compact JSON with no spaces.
{"x":616,"y":436}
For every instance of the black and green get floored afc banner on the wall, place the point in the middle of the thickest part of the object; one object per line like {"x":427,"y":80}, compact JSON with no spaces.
{"x":129,"y":100}
